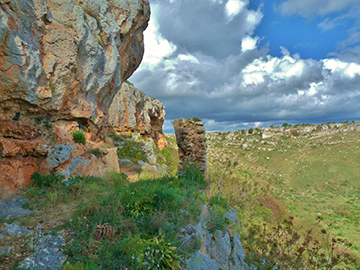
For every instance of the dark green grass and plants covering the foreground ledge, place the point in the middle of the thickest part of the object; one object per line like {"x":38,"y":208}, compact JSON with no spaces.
{"x":112,"y":223}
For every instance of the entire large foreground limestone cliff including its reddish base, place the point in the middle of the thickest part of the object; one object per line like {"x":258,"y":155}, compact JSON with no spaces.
{"x":61,"y":64}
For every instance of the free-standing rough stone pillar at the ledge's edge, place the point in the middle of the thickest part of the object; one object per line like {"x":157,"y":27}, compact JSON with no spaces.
{"x":190,"y":138}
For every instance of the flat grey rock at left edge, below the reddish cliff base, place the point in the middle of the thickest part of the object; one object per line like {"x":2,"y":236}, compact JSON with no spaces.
{"x":13,"y":208}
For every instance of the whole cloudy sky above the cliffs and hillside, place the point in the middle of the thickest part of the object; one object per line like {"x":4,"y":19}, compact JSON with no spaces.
{"x":238,"y":64}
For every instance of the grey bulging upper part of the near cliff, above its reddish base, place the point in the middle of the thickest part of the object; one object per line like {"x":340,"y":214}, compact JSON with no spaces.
{"x":67,"y":58}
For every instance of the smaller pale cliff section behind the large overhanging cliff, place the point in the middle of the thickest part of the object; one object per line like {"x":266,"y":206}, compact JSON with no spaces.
{"x":132,"y":110}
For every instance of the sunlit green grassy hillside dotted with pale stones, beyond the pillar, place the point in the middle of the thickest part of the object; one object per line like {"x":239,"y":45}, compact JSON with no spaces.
{"x":302,"y":176}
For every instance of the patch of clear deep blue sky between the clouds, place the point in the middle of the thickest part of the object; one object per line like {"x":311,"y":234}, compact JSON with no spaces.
{"x":297,"y":33}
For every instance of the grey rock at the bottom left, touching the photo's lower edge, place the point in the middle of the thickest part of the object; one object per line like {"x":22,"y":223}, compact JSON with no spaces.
{"x":46,"y":256}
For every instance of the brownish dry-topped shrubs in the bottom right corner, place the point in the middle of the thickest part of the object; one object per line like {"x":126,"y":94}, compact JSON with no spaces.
{"x":283,"y":247}
